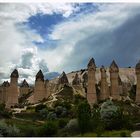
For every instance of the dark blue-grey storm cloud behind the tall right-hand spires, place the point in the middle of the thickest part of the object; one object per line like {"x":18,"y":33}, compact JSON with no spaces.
{"x":121,"y":44}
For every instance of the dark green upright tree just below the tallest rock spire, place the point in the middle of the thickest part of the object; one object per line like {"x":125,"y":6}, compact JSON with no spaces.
{"x":84,"y":115}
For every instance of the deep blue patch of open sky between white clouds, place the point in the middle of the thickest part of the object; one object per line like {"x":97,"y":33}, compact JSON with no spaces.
{"x":43,"y":23}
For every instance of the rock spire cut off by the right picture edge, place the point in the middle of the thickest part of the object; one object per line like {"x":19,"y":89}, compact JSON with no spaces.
{"x":137,"y":69}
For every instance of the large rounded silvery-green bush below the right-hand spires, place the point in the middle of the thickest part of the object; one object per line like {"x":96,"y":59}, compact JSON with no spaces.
{"x":113,"y":116}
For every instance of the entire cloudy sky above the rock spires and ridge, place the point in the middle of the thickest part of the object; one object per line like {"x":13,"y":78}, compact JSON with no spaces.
{"x":57,"y":37}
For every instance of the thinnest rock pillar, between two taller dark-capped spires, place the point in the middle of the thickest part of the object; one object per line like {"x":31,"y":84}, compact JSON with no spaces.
{"x":104,"y":92}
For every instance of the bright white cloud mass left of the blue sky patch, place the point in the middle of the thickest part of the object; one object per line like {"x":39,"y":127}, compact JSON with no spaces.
{"x":16,"y":39}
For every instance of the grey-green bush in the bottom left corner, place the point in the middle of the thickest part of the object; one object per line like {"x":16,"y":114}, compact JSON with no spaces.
{"x":8,"y":131}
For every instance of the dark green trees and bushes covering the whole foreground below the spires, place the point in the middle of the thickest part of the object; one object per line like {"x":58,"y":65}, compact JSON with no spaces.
{"x":71,"y":115}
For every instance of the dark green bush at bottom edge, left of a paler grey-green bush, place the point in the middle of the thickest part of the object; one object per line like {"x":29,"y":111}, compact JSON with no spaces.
{"x":49,"y":129}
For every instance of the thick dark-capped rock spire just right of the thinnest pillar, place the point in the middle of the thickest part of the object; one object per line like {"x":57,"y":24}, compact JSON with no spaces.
{"x":114,"y":75}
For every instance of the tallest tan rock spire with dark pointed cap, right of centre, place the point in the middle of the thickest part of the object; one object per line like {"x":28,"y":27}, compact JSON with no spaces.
{"x":91,"y":89}
